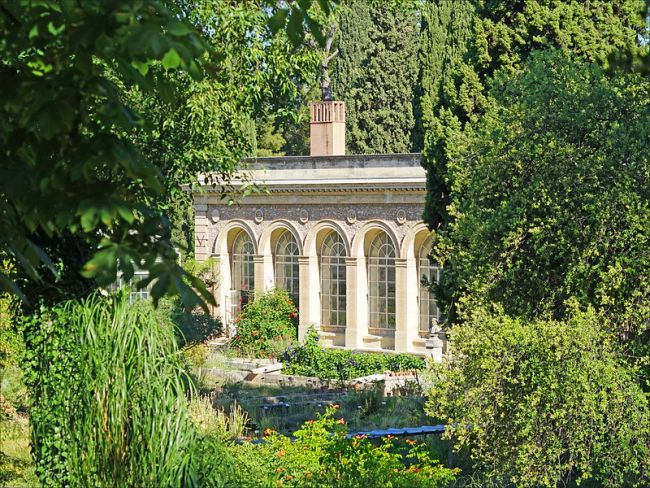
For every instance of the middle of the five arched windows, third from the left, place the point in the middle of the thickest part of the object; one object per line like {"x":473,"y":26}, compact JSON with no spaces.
{"x":332,"y":280}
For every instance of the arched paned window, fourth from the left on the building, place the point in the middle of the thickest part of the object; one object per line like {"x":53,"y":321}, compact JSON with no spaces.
{"x":381,"y":282}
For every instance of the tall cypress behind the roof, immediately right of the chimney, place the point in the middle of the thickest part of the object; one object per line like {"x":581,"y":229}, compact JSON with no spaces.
{"x":376,"y":74}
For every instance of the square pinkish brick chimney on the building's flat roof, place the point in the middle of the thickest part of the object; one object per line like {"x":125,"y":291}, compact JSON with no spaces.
{"x":327,"y":128}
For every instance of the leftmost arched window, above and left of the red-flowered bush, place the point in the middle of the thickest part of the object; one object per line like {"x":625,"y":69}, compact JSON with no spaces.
{"x":242,"y":271}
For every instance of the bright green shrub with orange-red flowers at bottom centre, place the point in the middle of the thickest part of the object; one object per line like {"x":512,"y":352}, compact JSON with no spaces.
{"x":320,"y":454}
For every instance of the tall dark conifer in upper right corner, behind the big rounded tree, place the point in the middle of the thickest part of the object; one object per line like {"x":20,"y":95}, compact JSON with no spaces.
{"x":464,"y":42}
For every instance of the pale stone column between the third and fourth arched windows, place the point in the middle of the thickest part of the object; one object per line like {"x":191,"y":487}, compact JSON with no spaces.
{"x":357,"y":302}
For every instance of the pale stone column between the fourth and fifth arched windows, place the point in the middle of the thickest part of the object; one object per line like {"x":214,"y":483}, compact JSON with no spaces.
{"x":406,"y":306}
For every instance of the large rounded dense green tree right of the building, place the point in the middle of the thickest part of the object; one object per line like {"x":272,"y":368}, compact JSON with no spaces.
{"x":551,"y":198}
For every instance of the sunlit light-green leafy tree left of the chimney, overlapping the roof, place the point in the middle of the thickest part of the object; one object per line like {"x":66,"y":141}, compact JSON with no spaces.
{"x":211,"y":124}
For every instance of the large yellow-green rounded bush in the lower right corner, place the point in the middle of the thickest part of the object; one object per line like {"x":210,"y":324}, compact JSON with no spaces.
{"x":544,"y":403}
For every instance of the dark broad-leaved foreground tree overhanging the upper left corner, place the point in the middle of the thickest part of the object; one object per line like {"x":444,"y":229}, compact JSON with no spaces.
{"x":70,"y":164}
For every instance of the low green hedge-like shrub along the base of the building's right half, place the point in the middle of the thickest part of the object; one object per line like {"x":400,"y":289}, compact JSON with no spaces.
{"x":309,"y":359}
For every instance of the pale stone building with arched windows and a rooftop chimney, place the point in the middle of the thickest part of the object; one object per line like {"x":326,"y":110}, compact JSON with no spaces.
{"x":342,"y":234}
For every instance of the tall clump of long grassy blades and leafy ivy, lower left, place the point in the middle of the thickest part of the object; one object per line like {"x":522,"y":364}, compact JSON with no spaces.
{"x":108,"y":396}
